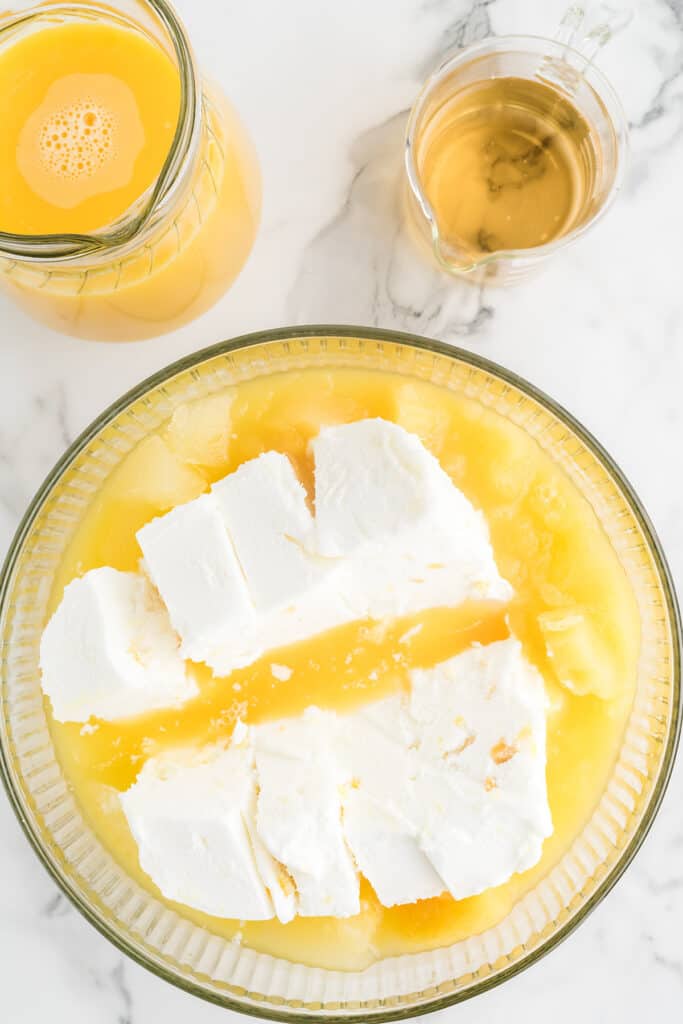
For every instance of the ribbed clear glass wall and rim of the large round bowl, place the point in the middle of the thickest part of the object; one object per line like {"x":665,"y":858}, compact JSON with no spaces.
{"x":237,"y":977}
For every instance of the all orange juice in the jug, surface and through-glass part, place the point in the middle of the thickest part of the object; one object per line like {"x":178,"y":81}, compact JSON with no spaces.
{"x":90,"y":111}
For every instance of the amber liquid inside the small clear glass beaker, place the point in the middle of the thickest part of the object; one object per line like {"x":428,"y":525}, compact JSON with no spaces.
{"x":508,"y":163}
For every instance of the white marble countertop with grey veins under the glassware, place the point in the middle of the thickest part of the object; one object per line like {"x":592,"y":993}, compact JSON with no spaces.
{"x":325,"y":89}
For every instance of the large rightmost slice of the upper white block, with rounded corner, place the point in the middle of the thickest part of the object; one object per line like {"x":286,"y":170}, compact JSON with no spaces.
{"x":413,"y":539}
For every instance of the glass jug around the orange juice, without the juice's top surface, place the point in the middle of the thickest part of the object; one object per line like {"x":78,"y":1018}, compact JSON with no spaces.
{"x":179,"y":247}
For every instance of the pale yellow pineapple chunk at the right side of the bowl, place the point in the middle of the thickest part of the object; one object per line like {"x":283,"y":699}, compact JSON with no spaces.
{"x":578,"y":654}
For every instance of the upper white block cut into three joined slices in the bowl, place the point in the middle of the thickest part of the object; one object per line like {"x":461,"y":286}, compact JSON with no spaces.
{"x":393,"y":536}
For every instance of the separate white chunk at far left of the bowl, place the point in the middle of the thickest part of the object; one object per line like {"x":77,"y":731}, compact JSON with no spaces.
{"x":109,"y":651}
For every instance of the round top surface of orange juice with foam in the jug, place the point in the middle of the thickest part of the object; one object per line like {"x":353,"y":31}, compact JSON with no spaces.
{"x":89,"y":115}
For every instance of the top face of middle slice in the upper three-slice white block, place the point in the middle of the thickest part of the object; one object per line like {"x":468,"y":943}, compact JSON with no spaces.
{"x":265,"y":508}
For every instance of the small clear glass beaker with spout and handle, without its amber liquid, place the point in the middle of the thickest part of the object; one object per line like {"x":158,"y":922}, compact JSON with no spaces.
{"x":566,"y":64}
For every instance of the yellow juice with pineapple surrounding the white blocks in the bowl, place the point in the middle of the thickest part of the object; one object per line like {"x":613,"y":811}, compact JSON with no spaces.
{"x":548,"y":544}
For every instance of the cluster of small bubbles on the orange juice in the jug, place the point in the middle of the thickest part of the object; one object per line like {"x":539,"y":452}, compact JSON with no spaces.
{"x":77,"y":141}
